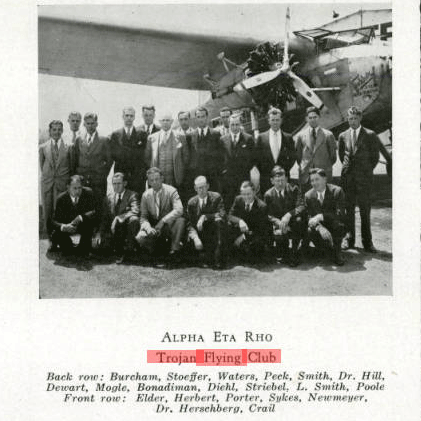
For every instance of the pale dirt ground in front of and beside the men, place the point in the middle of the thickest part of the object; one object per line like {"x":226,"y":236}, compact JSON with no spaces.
{"x":362,"y":274}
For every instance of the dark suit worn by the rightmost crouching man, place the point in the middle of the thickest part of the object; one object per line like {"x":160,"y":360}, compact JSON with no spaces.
{"x":333,"y":213}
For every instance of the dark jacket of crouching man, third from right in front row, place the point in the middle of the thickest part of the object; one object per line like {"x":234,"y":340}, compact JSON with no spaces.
{"x":257,"y":219}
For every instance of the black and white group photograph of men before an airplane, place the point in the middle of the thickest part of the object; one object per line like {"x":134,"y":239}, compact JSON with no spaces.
{"x":215,"y":150}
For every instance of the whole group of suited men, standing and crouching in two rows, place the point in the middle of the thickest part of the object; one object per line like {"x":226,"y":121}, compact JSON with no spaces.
{"x":191,"y":187}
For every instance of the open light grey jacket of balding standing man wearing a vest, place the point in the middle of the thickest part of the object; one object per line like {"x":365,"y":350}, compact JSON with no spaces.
{"x":180,"y":153}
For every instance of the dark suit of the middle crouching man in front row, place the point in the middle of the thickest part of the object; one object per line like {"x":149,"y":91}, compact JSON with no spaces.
{"x":213,"y":232}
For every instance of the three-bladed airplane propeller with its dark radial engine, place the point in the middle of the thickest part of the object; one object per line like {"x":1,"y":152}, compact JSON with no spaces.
{"x":265,"y":66}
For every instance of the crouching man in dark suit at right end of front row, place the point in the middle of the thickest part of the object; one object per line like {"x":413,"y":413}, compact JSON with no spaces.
{"x":324,"y":204}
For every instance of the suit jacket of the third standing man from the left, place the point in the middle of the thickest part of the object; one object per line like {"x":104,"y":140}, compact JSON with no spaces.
{"x":92,"y":161}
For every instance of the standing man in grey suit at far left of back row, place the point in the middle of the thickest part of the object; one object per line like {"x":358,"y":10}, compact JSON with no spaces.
{"x":55,"y":164}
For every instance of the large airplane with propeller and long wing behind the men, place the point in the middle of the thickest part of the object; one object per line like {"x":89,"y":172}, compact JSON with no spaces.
{"x":345,"y":62}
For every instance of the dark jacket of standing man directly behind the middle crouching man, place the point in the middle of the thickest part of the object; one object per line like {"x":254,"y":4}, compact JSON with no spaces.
{"x":208,"y":153}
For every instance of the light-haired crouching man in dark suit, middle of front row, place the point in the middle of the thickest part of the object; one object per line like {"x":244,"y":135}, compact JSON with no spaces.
{"x":207,"y":222}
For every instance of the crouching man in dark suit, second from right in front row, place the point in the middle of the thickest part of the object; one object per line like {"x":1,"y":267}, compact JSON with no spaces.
{"x":286,"y":213}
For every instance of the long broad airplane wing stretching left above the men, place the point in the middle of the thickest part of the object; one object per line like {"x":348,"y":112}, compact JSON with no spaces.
{"x":141,"y":56}
